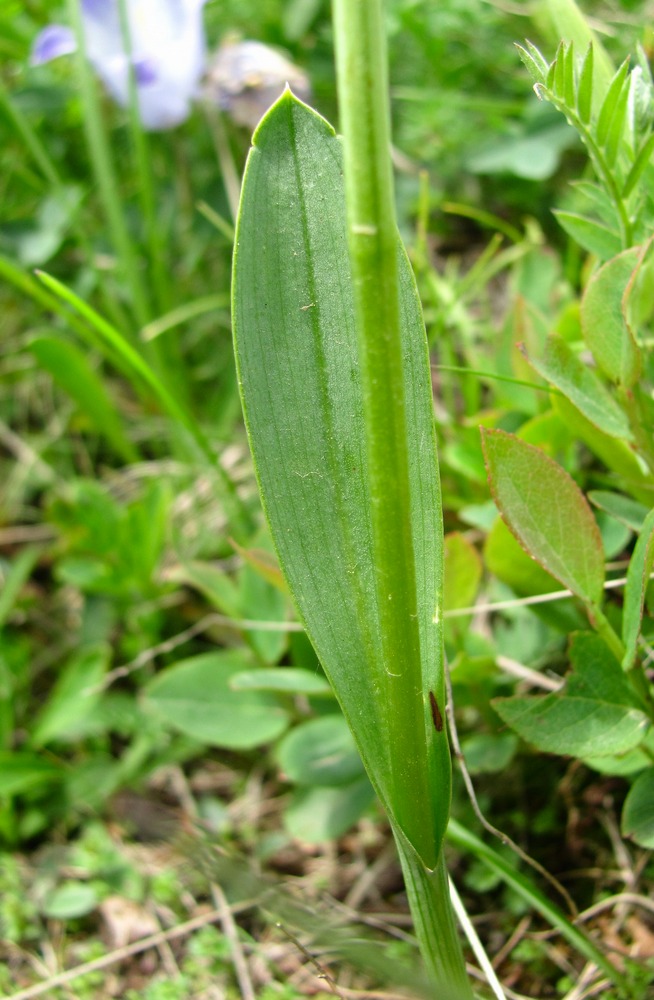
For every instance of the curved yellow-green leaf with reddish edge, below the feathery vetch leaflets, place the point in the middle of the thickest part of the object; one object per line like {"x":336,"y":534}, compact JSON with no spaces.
{"x":603,"y":321}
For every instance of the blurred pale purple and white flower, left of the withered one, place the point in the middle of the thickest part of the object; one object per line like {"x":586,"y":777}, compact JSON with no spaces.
{"x":168,"y":53}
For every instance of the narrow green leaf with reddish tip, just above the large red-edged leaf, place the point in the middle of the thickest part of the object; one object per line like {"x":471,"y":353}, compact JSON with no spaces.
{"x":563,"y":369}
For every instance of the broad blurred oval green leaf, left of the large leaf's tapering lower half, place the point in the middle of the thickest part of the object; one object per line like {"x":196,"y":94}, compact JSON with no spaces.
{"x":195,"y":696}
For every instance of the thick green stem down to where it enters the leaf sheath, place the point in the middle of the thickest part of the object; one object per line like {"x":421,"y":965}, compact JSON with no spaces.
{"x":373,"y":243}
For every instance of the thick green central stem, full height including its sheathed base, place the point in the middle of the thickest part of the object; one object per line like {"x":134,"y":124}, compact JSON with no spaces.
{"x":373,"y":245}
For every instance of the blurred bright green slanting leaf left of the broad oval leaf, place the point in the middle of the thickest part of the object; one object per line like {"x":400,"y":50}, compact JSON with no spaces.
{"x":74,"y":695}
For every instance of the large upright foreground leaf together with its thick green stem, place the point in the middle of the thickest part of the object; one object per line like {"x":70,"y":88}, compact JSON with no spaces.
{"x":335,"y":382}
